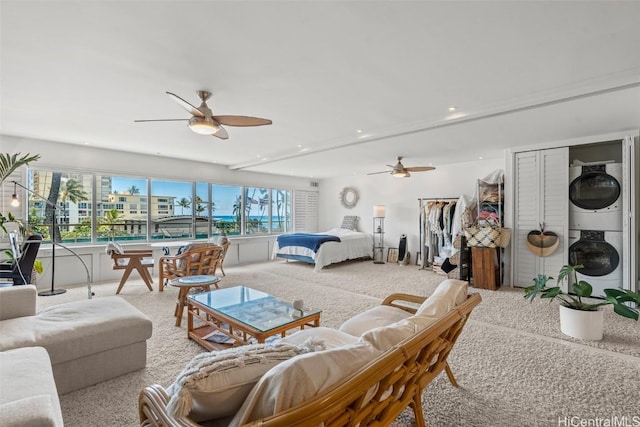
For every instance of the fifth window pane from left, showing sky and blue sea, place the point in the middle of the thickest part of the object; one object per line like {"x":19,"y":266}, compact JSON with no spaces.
{"x":228,"y":209}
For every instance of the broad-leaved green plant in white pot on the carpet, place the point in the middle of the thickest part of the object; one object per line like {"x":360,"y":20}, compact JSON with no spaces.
{"x":579,"y":318}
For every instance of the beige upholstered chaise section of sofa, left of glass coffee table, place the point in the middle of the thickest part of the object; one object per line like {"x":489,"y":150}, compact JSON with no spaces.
{"x":88,"y":341}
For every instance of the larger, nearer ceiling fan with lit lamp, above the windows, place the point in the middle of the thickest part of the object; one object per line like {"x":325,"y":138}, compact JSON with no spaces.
{"x":204,"y":122}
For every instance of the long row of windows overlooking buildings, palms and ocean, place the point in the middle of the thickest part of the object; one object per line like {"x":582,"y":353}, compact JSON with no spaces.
{"x":130,"y":209}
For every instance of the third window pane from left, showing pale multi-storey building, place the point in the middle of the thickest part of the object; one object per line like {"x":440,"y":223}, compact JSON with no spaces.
{"x":172,"y":209}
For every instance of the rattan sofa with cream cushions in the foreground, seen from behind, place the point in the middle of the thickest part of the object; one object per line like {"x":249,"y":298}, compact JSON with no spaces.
{"x":366,"y":373}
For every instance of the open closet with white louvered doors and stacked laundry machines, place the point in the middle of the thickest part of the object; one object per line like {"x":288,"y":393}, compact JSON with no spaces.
{"x":586,"y":192}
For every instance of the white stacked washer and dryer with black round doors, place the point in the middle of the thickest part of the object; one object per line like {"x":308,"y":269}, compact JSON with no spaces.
{"x":595,"y":224}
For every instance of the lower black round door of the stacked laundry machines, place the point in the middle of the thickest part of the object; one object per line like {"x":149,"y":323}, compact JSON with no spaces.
{"x":598,"y":256}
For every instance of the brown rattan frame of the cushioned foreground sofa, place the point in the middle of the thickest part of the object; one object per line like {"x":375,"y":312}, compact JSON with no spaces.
{"x":406,"y":369}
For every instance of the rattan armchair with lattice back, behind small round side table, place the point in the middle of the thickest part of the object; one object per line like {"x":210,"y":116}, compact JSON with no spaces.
{"x":195,"y":259}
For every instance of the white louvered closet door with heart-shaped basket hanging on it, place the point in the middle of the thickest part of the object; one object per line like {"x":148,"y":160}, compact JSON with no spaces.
{"x":541,"y":197}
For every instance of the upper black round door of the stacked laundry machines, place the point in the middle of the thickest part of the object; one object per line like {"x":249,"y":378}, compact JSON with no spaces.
{"x":594,"y":188}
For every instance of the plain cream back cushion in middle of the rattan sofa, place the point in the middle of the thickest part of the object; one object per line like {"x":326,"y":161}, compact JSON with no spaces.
{"x":301,"y":378}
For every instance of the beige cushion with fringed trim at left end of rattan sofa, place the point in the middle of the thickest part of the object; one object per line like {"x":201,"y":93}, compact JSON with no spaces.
{"x":214,"y":385}
